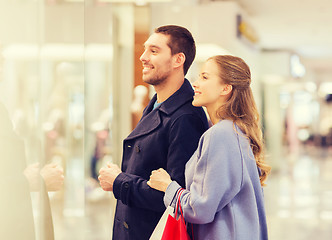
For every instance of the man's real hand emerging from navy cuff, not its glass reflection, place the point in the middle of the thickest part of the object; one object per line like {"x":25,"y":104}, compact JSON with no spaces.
{"x":107,"y":176}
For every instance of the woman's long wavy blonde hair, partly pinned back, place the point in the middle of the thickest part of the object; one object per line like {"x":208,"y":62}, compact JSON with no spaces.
{"x":241,"y":106}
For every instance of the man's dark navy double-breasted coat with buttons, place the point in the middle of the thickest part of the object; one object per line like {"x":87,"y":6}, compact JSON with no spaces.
{"x":165,"y":137}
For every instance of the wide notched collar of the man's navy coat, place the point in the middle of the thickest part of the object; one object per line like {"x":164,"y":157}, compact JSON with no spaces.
{"x":151,"y":118}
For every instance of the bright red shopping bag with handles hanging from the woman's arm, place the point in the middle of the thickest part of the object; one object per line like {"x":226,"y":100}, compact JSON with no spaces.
{"x":175,"y":229}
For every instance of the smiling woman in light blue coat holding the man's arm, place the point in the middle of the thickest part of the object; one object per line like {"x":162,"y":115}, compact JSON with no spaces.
{"x":224,"y":177}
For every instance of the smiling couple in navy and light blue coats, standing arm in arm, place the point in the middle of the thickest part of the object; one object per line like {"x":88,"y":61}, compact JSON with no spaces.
{"x":225,"y":173}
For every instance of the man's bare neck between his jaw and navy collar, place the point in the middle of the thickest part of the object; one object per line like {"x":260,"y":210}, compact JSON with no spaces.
{"x":168,"y":88}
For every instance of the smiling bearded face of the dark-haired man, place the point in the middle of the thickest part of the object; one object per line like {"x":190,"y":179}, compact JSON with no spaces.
{"x":156,"y":59}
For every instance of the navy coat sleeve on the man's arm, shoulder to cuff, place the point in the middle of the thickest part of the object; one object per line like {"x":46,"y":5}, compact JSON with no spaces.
{"x":133,"y":190}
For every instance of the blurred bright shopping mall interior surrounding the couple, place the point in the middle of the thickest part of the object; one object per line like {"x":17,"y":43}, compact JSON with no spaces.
{"x":71,"y":83}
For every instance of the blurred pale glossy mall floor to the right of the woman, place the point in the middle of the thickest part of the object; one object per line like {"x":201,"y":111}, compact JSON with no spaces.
{"x":299,"y":197}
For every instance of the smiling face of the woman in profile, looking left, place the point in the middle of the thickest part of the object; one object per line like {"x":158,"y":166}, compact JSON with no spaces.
{"x":208,"y":87}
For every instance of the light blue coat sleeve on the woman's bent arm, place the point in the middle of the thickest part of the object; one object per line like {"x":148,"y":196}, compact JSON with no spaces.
{"x":217,"y":177}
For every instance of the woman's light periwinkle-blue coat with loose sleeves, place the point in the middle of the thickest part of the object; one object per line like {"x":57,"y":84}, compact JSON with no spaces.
{"x":224,"y":198}
